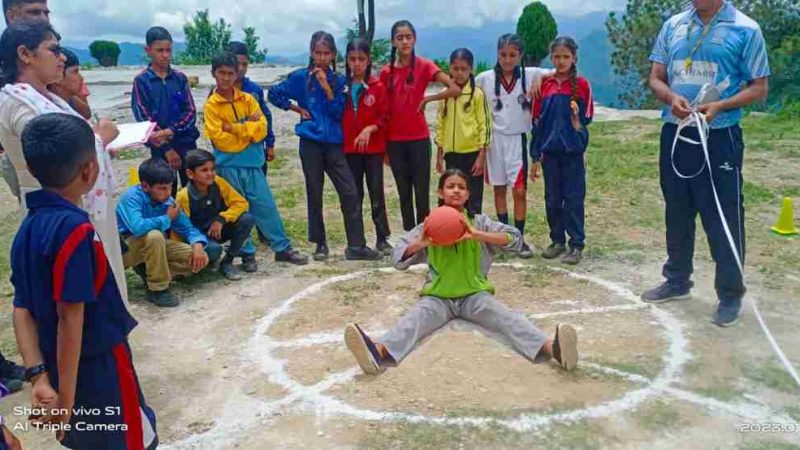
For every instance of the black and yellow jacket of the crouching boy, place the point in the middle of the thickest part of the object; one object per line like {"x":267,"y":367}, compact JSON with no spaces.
{"x":222,"y":204}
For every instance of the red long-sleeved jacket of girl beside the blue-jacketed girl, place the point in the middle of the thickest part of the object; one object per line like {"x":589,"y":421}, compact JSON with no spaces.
{"x":370,"y":108}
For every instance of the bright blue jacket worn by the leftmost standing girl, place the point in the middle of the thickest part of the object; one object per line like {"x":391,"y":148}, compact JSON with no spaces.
{"x":325,"y":124}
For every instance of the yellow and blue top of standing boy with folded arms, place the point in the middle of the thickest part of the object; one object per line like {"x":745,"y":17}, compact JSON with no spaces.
{"x":243,"y":145}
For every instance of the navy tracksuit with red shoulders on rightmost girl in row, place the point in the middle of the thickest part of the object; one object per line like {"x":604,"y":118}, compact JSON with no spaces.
{"x":560,"y":148}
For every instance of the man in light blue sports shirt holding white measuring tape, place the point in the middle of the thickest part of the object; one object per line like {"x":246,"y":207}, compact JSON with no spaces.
{"x":710,"y":43}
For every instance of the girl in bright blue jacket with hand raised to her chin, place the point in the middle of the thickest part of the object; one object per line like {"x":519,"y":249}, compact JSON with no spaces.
{"x":319,"y":95}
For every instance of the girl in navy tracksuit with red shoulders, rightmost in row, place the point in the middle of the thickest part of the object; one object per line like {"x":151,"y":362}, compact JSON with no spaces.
{"x":561,"y":114}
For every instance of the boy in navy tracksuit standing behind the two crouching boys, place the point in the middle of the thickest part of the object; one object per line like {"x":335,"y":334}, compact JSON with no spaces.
{"x":163,"y":95}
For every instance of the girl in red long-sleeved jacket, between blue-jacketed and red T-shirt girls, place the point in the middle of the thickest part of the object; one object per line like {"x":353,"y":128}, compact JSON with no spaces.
{"x":365,"y":117}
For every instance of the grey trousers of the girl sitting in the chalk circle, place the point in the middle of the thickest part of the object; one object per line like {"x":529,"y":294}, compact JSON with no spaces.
{"x":431,"y":313}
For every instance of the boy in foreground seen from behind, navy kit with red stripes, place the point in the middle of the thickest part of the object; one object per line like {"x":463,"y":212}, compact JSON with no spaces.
{"x":71,"y":324}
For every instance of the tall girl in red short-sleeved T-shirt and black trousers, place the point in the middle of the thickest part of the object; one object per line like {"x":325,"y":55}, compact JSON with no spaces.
{"x":407,"y":77}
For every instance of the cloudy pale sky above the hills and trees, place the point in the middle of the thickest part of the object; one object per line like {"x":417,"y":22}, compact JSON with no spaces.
{"x":284,"y":25}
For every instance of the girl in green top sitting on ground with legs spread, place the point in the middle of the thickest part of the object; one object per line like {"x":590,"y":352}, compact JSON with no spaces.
{"x":457,"y":287}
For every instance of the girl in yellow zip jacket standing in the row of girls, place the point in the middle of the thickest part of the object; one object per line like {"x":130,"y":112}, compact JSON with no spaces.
{"x":464,"y":129}
